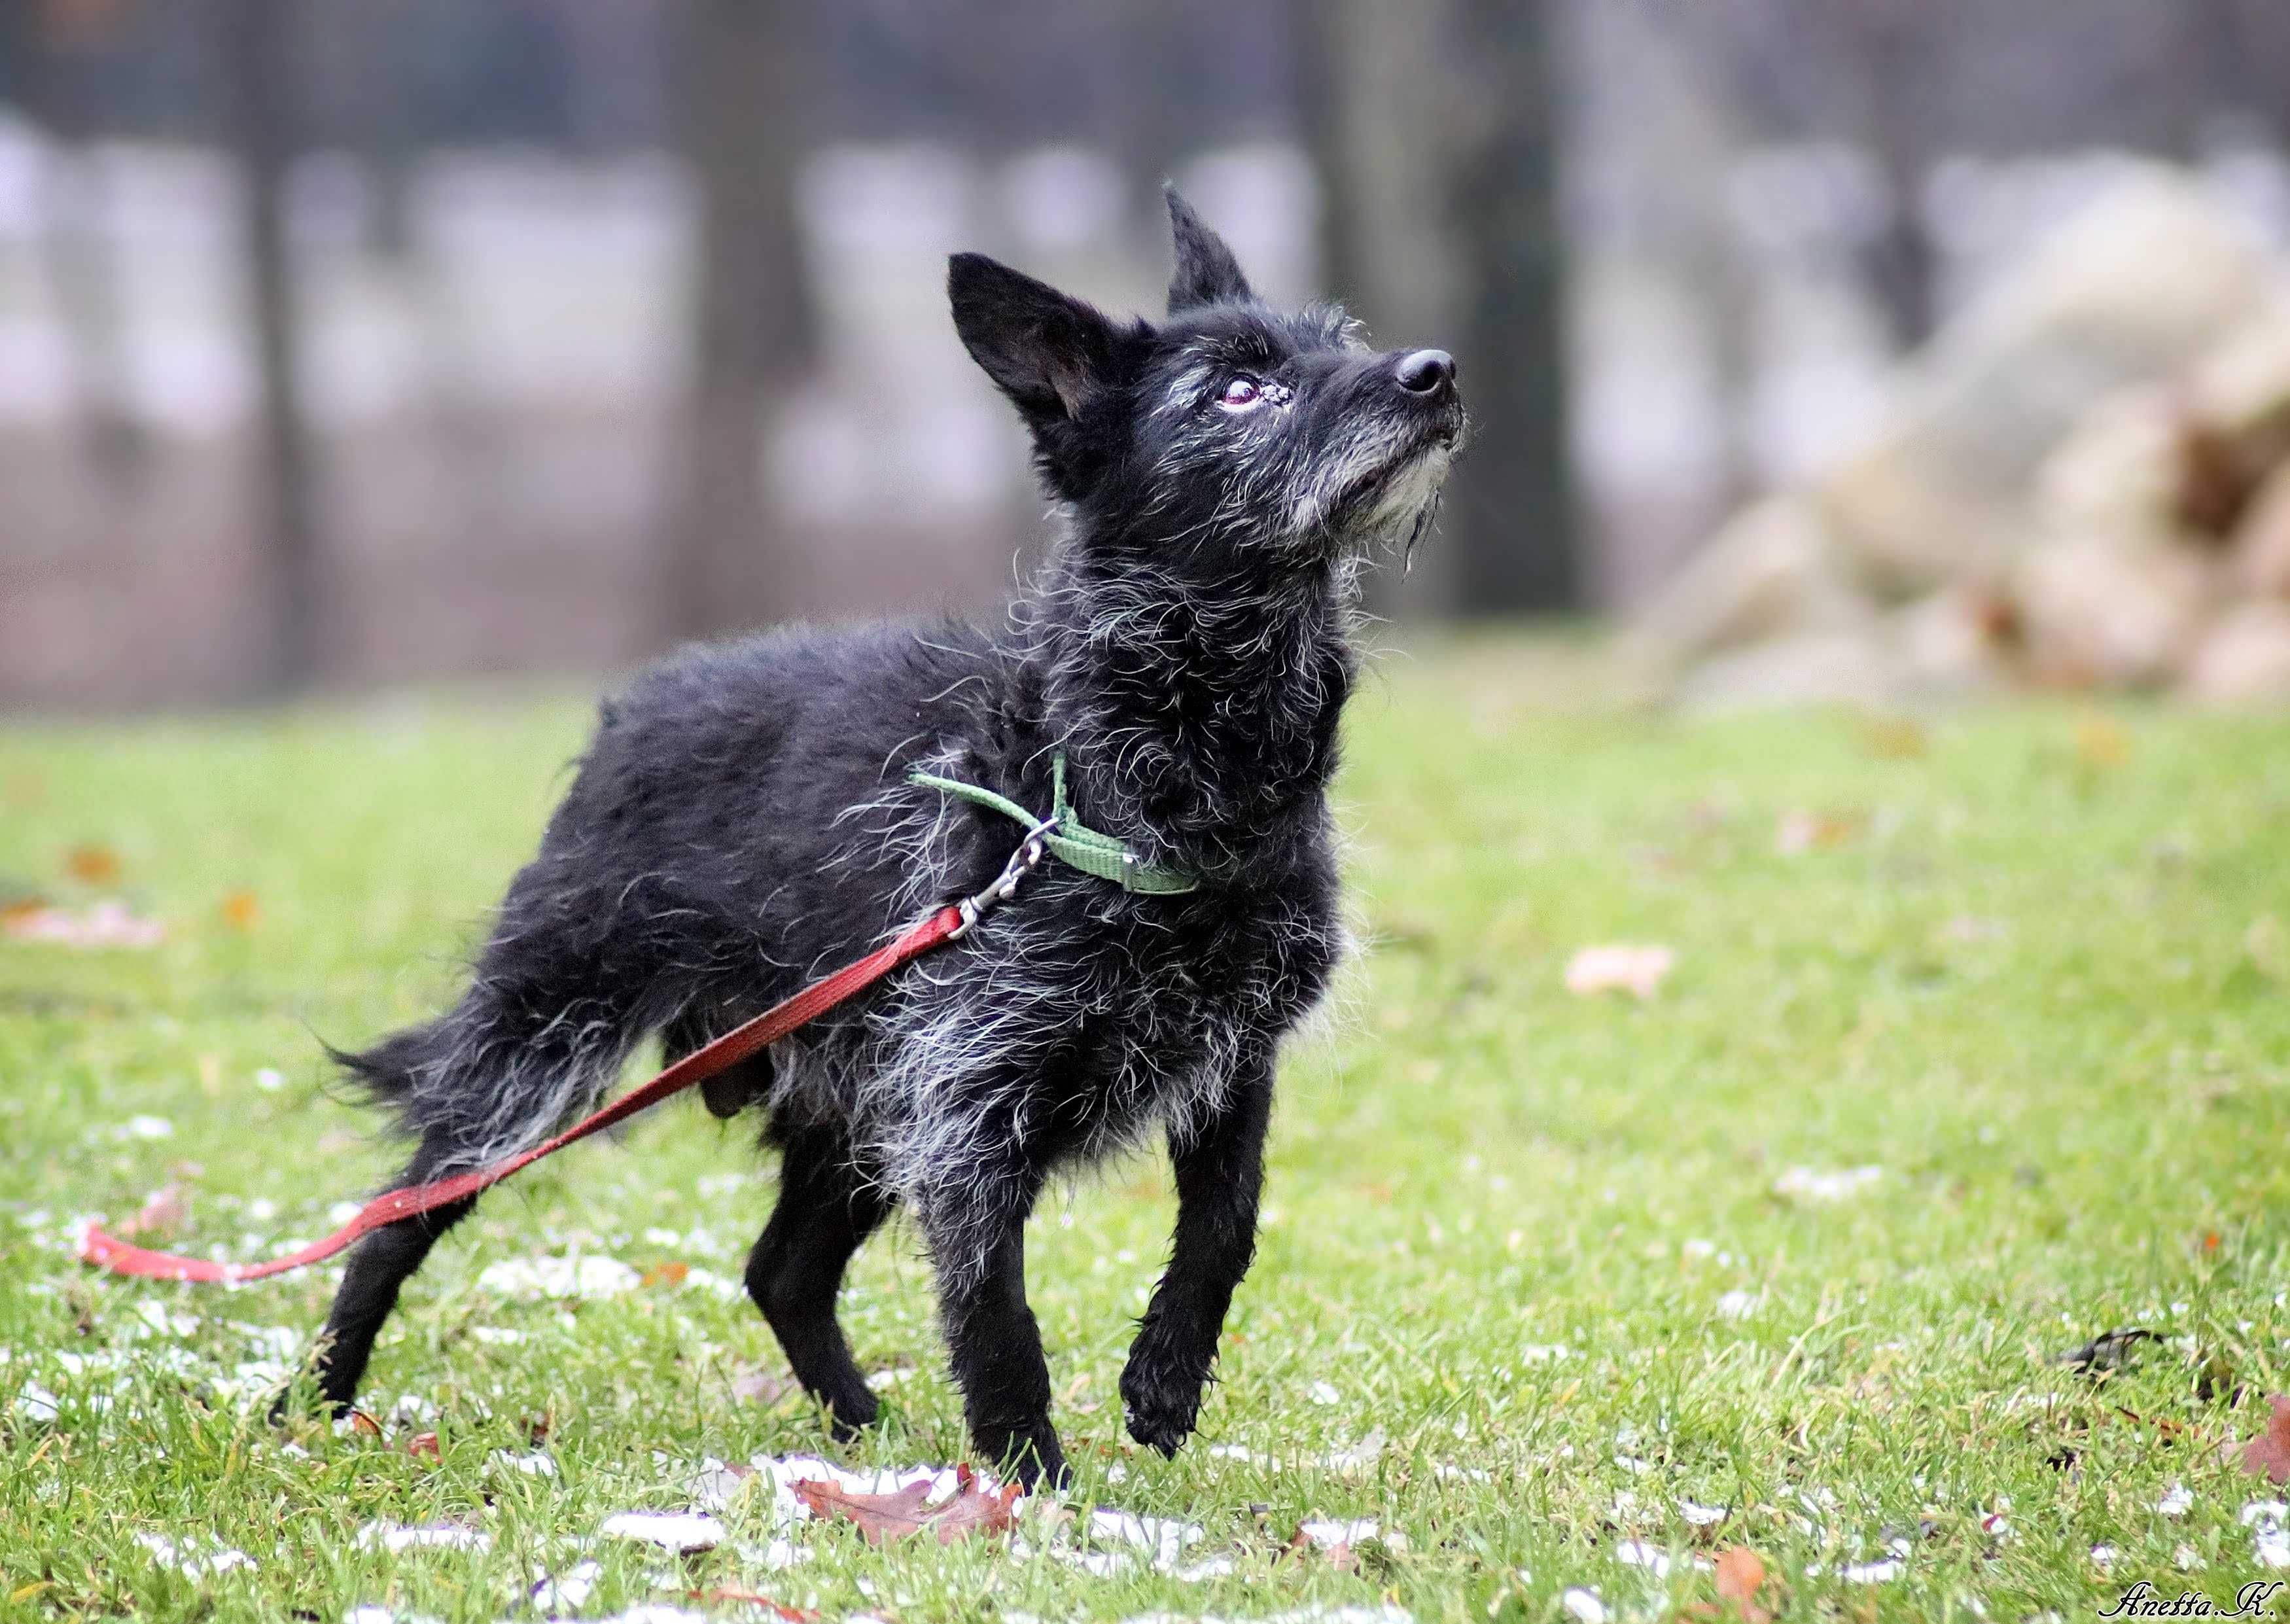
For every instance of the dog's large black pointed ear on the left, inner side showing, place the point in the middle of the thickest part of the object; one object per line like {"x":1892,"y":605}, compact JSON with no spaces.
{"x":1050,"y":354}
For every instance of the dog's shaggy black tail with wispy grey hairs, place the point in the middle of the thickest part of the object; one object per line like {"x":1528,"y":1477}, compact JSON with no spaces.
{"x":491,"y":1075}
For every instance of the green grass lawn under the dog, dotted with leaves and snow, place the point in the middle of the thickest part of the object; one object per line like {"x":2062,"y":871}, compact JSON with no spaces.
{"x":2039,"y":982}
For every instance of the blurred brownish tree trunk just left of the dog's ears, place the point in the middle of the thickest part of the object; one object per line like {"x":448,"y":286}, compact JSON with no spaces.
{"x":745,"y":74}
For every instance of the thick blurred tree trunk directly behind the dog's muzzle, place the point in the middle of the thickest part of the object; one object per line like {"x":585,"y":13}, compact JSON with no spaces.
{"x":1437,"y":136}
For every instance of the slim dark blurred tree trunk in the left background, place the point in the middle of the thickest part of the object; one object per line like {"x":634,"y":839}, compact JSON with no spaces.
{"x":258,"y":58}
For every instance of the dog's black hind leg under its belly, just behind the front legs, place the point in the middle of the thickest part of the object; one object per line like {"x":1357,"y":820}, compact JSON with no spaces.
{"x":826,"y":1213}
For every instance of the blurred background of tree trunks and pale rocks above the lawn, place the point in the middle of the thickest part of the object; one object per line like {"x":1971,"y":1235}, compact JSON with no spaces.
{"x":1856,"y":349}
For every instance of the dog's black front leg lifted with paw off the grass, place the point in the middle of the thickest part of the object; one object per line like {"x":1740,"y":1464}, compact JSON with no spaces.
{"x":1219,"y":1174}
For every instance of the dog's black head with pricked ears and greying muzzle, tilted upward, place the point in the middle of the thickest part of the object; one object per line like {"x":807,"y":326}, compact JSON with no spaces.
{"x":1224,"y":429}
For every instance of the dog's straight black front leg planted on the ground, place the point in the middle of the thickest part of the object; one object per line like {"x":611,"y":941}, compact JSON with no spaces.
{"x":977,"y":1233}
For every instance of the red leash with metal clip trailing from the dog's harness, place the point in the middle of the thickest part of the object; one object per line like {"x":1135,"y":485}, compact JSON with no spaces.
{"x":695,"y":1069}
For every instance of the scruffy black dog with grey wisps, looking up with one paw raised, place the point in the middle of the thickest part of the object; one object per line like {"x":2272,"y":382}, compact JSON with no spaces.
{"x":745,"y":821}
